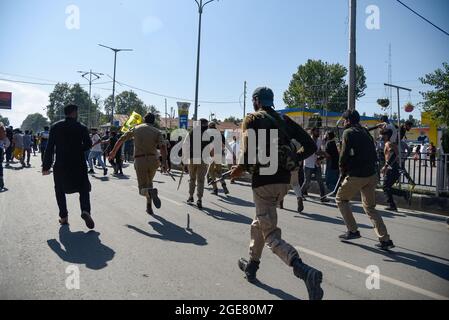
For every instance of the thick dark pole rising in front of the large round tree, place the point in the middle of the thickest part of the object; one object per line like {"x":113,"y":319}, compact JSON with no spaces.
{"x":352,"y":53}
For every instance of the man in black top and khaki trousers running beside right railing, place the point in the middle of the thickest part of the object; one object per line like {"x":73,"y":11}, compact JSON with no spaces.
{"x":358,"y":165}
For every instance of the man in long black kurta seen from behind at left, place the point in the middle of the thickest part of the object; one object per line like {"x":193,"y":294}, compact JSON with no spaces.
{"x":69,"y":140}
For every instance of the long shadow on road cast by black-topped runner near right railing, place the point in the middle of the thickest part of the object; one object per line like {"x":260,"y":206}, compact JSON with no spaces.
{"x":438,"y":269}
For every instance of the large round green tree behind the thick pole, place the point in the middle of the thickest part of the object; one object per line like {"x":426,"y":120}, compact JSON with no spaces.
{"x":319,"y":84}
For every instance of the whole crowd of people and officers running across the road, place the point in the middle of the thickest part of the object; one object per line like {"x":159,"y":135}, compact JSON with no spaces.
{"x":351,"y":167}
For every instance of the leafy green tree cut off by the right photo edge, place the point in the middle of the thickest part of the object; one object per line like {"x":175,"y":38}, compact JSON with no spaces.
{"x":437,"y":101}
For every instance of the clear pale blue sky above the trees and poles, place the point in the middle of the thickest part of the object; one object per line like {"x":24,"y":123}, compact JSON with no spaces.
{"x":260,"y":41}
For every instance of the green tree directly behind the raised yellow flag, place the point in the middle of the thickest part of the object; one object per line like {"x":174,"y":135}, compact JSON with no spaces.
{"x":125,"y":103}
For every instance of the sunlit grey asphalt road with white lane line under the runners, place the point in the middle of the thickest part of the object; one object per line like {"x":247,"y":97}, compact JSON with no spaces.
{"x":185,"y":253}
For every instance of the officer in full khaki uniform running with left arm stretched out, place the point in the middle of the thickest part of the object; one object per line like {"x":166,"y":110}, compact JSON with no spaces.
{"x":147,"y":138}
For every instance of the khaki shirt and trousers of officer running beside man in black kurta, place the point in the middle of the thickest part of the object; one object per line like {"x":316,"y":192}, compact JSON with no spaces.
{"x":147,"y":138}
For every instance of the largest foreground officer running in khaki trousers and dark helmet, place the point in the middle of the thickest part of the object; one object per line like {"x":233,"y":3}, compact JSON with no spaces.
{"x":269,"y":190}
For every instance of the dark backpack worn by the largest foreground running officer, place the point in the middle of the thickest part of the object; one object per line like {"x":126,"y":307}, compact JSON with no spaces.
{"x":288,"y":156}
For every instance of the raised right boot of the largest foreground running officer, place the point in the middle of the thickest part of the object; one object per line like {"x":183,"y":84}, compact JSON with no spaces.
{"x":312,"y":278}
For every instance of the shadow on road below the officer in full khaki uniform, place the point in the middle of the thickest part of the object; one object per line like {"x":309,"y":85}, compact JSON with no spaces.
{"x":170,"y":232}
